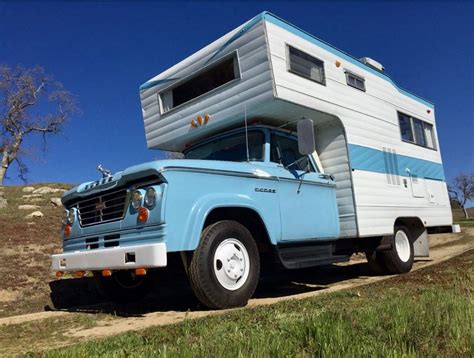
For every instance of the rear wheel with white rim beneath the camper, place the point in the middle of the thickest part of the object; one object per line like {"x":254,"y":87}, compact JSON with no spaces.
{"x":400,"y":258}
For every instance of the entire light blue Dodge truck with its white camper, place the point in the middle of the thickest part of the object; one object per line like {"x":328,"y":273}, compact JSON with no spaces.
{"x":291,"y":148}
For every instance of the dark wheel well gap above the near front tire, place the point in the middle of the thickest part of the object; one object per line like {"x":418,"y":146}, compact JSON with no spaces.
{"x":246,"y":217}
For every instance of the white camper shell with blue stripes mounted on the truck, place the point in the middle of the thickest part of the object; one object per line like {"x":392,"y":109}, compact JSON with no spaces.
{"x":376,"y":139}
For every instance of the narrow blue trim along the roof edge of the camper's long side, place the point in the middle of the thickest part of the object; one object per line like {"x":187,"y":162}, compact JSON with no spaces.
{"x":307,"y":36}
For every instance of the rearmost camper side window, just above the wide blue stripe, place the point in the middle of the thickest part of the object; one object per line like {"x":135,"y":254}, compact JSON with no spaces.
{"x":416,"y":131}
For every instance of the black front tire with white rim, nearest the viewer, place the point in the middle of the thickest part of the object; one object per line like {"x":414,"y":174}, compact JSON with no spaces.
{"x":225,"y":268}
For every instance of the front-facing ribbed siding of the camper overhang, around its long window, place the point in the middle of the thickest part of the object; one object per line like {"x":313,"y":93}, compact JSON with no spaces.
{"x":172,"y":130}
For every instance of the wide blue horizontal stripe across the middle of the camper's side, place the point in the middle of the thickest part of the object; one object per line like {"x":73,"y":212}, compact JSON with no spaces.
{"x":373,"y":160}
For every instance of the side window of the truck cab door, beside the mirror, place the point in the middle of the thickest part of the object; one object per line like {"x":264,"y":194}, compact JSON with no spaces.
{"x":284,"y":150}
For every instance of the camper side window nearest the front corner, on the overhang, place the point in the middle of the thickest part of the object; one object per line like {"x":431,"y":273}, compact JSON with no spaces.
{"x":305,"y":65}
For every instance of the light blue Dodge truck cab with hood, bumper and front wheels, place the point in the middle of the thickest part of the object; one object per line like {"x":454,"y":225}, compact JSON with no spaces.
{"x":230,"y":193}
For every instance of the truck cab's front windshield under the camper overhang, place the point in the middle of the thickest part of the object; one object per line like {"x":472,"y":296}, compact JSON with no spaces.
{"x":230,"y":148}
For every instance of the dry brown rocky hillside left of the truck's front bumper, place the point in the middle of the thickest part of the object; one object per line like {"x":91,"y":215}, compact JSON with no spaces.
{"x":25,"y":248}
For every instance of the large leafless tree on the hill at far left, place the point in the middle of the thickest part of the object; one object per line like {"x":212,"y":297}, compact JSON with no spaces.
{"x":30,"y":103}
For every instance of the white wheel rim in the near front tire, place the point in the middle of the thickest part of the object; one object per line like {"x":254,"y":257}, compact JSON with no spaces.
{"x":231,"y":264}
